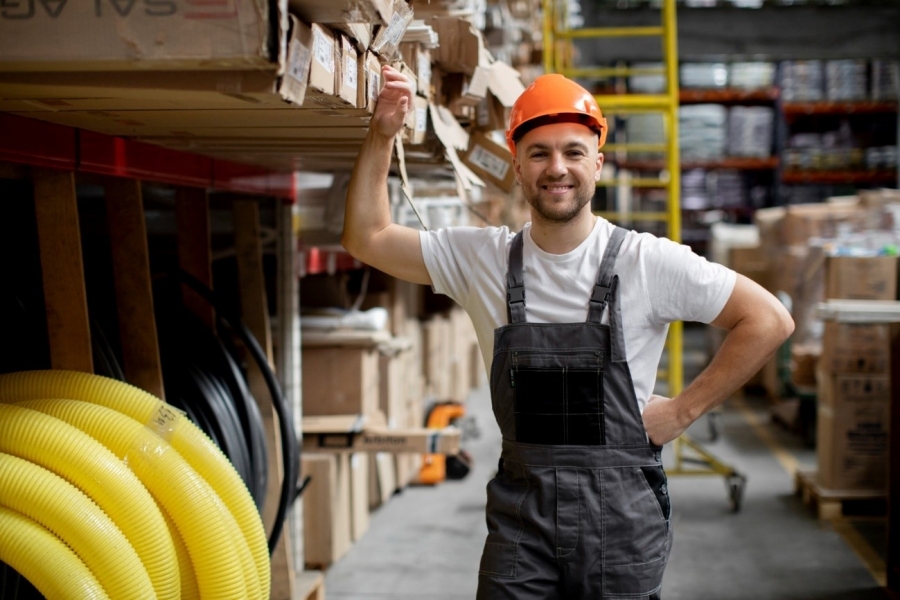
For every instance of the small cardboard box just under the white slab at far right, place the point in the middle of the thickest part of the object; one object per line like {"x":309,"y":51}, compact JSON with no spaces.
{"x":856,"y":348}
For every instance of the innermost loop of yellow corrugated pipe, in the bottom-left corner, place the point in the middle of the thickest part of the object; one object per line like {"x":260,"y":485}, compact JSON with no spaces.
{"x":45,"y":560}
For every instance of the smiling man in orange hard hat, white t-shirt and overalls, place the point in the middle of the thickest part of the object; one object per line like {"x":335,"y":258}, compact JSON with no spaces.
{"x":571,"y":316}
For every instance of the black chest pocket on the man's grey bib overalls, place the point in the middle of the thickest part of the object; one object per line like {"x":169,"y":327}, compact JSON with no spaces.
{"x":558,"y":397}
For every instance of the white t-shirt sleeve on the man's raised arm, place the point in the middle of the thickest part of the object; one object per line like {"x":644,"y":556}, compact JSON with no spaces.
{"x":449,"y":257}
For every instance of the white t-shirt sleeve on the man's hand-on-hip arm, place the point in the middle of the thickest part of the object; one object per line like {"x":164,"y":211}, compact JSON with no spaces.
{"x":683,"y":286}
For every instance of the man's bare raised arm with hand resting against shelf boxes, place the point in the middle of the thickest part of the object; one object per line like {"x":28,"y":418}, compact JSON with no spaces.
{"x":369,"y":235}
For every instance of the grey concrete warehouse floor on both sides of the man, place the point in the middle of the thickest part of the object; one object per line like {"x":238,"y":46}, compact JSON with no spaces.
{"x":425,"y":543}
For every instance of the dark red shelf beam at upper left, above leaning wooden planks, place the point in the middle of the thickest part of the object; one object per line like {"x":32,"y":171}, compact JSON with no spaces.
{"x":34,"y":142}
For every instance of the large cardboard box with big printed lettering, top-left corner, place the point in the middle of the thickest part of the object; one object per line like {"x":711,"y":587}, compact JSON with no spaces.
{"x":109,"y":35}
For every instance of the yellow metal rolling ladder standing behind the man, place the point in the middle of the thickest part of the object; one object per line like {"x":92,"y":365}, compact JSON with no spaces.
{"x":559,"y":53}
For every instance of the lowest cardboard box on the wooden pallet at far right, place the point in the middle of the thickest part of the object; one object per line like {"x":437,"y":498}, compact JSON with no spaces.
{"x":853,"y":424}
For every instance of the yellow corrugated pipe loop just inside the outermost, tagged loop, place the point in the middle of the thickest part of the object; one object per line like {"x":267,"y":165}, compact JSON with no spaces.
{"x":220,"y":556}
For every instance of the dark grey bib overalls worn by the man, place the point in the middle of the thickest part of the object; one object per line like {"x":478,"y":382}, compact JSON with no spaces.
{"x":579,"y":506}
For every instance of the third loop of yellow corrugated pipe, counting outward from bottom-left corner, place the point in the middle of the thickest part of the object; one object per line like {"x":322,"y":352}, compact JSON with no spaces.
{"x":88,"y":465}
